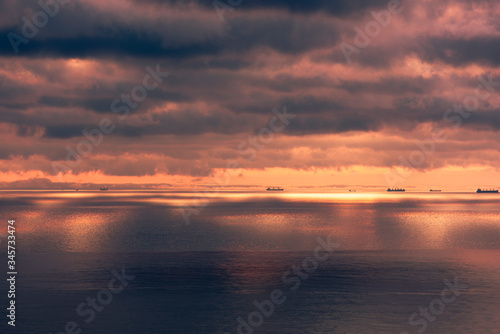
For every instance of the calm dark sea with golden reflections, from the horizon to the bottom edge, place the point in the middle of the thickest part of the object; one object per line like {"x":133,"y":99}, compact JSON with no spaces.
{"x":394,"y":253}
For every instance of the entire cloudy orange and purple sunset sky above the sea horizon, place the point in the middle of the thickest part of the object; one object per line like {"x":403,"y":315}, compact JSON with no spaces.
{"x":248,"y":94}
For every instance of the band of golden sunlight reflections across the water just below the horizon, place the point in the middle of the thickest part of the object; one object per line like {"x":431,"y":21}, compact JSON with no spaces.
{"x":87,"y":221}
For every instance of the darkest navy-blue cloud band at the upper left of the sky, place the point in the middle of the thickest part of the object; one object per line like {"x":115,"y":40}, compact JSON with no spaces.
{"x":104,"y":35}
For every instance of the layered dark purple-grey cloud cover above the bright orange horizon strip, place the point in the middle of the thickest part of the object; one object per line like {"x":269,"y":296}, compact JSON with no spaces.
{"x":226,"y":77}
